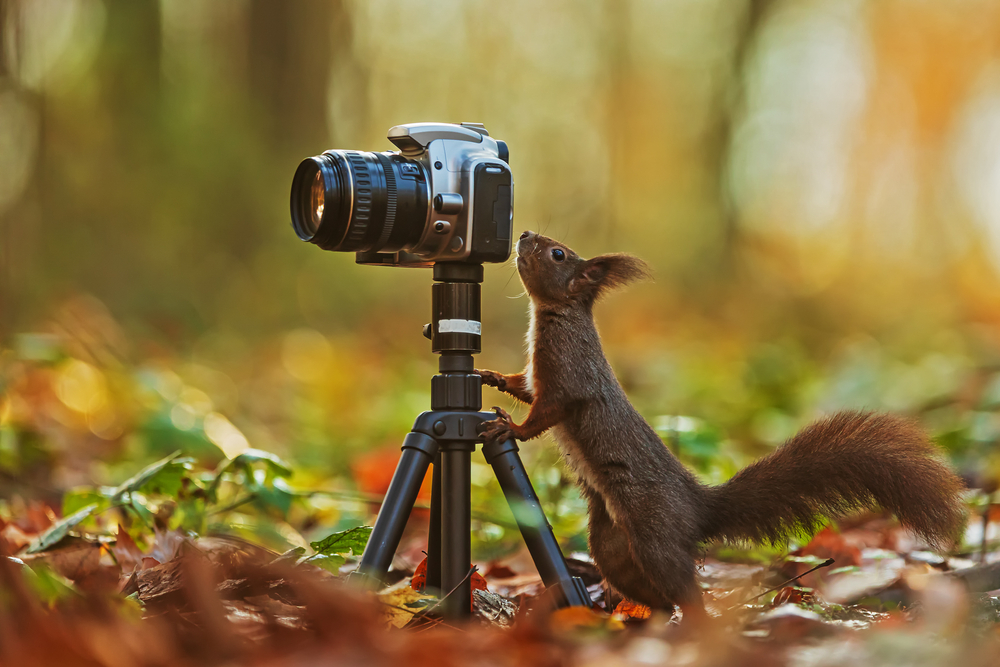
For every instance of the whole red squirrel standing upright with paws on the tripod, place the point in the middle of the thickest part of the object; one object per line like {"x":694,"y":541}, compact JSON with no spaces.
{"x":649,"y":515}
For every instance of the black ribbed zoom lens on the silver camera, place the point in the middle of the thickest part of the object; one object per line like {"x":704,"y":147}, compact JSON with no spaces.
{"x":356,"y":201}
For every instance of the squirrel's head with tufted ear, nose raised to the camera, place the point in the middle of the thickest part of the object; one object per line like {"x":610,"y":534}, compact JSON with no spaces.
{"x":555,"y":275}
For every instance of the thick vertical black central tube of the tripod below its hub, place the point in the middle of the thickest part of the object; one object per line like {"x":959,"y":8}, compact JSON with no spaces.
{"x":456,"y":527}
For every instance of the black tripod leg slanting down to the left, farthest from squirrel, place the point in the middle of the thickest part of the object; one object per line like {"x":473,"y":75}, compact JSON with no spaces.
{"x":418,"y":452}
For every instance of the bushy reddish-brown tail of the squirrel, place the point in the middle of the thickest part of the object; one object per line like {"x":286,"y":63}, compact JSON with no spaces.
{"x":850,"y":461}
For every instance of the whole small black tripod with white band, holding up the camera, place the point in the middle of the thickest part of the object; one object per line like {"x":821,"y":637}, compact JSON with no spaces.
{"x":446,"y":436}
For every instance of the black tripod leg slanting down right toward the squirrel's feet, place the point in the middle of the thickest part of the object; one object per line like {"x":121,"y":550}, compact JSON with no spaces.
{"x":535,"y":528}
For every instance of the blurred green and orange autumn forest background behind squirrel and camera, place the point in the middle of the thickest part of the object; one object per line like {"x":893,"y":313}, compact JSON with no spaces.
{"x":816,"y":184}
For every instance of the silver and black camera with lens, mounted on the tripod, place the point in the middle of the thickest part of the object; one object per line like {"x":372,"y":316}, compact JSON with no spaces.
{"x":445,"y":196}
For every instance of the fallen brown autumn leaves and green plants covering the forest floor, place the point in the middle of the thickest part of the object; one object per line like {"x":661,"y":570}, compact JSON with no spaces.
{"x":150,"y":591}
